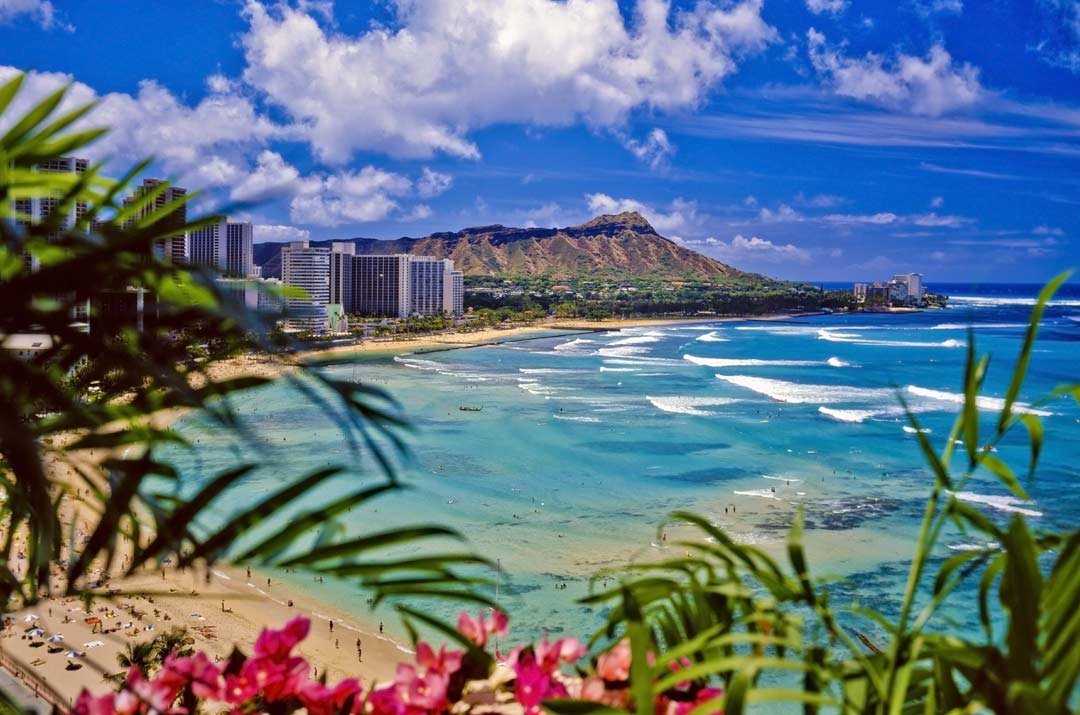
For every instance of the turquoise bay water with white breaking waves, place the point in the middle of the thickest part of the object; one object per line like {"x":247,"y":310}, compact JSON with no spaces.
{"x":585,"y":443}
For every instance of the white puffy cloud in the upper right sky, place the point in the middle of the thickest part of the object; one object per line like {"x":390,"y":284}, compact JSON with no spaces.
{"x":931,"y":87}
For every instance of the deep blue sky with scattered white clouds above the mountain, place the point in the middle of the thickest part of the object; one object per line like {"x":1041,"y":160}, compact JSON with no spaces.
{"x":820,"y":140}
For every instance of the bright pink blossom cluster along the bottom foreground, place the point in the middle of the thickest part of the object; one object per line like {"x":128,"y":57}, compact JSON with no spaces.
{"x":275,"y":678}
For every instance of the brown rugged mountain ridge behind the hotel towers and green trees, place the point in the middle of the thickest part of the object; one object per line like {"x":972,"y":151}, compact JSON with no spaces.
{"x":611,"y":246}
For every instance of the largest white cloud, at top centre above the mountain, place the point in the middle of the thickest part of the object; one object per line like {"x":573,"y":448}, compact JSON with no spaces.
{"x":449,"y":68}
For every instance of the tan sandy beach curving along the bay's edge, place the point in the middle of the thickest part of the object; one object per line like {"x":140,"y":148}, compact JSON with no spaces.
{"x":224,"y":608}
